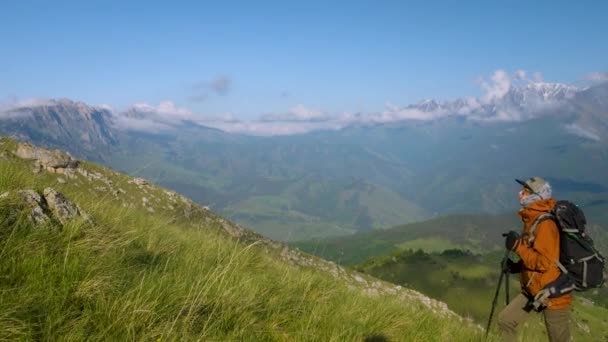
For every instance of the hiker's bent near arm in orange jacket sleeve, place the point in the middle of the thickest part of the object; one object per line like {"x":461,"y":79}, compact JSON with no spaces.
{"x":545,"y":249}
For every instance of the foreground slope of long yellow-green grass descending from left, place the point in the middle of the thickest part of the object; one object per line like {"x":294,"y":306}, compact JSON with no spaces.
{"x":148,"y":276}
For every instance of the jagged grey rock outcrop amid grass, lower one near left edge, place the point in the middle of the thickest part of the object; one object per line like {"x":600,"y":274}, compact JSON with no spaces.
{"x":50,"y":205}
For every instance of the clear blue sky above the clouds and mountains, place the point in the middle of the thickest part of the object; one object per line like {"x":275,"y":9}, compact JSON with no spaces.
{"x":253,"y":58}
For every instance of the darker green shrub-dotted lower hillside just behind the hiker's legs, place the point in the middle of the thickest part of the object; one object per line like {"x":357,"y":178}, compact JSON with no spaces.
{"x":467,"y":284}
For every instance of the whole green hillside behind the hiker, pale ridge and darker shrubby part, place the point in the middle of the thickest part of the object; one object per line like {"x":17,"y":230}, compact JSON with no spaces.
{"x":386,"y":254}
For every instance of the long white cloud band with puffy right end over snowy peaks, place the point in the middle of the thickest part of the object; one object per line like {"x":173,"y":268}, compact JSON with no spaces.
{"x":527,"y":98}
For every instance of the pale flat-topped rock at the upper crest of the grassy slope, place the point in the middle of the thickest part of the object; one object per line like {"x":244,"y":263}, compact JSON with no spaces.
{"x":54,"y":161}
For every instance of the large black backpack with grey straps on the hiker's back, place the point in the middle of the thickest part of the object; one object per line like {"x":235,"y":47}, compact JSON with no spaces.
{"x":581,"y":264}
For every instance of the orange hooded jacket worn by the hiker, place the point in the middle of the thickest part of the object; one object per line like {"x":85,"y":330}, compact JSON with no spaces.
{"x":539,"y":267}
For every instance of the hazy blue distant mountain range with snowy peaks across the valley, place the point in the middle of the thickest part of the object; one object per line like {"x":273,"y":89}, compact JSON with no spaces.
{"x":356,"y":173}
